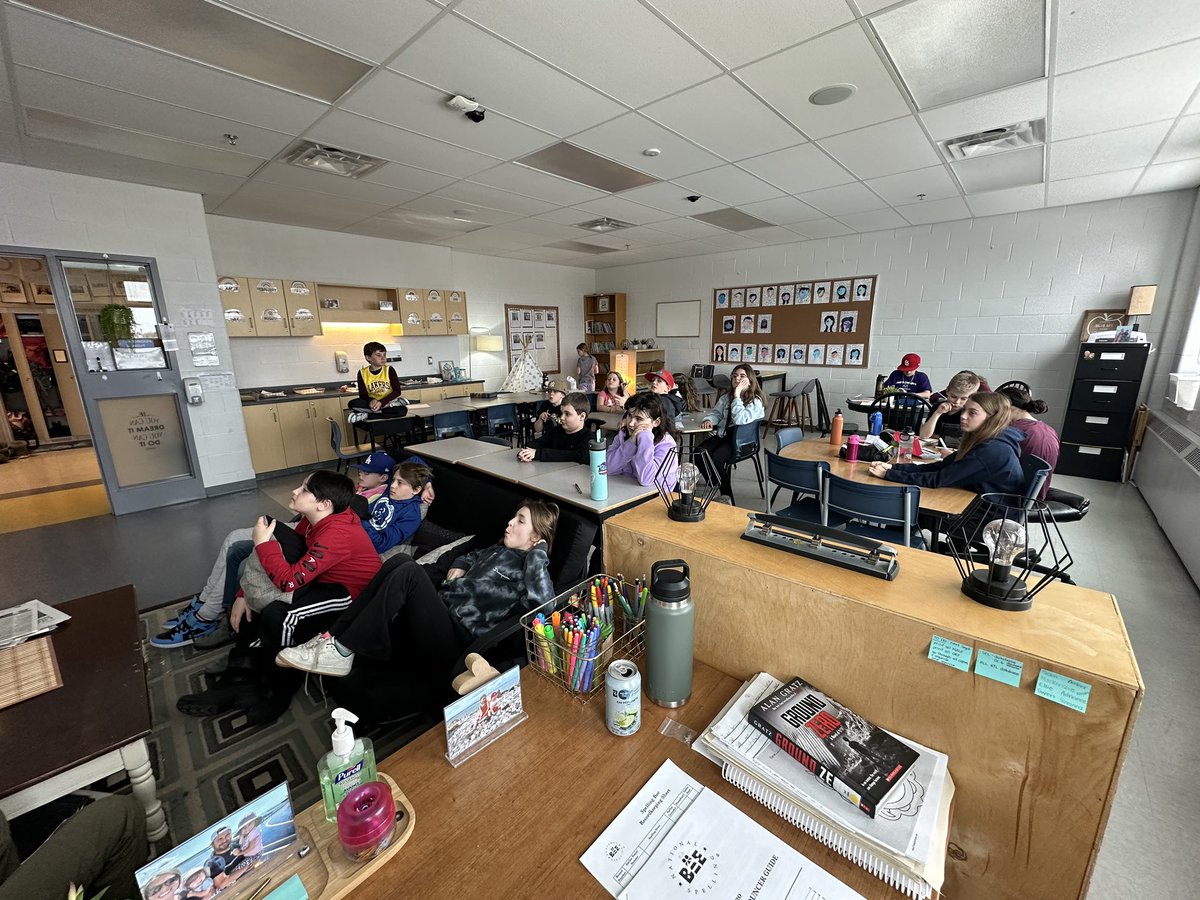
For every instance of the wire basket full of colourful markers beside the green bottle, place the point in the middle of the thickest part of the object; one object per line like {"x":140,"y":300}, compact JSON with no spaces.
{"x":580,"y":669}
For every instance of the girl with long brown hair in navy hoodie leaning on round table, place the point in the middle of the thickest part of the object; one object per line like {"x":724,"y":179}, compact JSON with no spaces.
{"x":986,"y":463}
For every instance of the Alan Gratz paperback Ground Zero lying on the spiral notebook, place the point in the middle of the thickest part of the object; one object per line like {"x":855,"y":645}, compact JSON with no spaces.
{"x":859,"y":760}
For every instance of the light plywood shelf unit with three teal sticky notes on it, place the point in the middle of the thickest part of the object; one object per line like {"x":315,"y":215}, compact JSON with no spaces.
{"x":1035,"y":779}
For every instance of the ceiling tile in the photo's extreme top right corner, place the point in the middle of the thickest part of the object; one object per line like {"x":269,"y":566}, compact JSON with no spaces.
{"x":1105,"y":31}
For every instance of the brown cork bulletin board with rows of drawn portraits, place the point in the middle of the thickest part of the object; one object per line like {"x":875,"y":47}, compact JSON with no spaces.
{"x":808,"y":323}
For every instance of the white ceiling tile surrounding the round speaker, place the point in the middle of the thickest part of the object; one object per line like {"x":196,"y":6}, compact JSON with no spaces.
{"x":842,"y":57}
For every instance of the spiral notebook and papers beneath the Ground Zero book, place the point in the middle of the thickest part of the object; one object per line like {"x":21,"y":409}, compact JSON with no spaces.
{"x":903,"y":847}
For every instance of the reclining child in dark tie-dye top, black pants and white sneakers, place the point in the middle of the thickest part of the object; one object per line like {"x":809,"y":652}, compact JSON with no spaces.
{"x":481,"y":591}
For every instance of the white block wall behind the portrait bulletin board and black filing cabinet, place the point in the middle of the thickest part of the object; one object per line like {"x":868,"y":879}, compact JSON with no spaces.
{"x":1003,"y":296}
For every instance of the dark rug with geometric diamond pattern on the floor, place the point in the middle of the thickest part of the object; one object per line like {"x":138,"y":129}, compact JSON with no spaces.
{"x":207,"y":769}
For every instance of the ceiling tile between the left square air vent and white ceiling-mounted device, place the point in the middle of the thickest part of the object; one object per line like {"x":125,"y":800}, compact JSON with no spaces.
{"x":367,"y":136}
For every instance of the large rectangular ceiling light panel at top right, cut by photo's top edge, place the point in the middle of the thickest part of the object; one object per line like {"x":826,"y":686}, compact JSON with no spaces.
{"x":952,"y":50}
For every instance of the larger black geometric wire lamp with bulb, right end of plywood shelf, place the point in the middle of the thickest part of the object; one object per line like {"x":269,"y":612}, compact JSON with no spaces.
{"x":1007,"y":549}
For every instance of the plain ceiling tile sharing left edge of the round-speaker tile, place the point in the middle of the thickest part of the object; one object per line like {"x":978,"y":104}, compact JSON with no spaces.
{"x":725,"y":118}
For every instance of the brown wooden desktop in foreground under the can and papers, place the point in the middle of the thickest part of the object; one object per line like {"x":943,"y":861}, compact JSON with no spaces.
{"x":514,"y":820}
